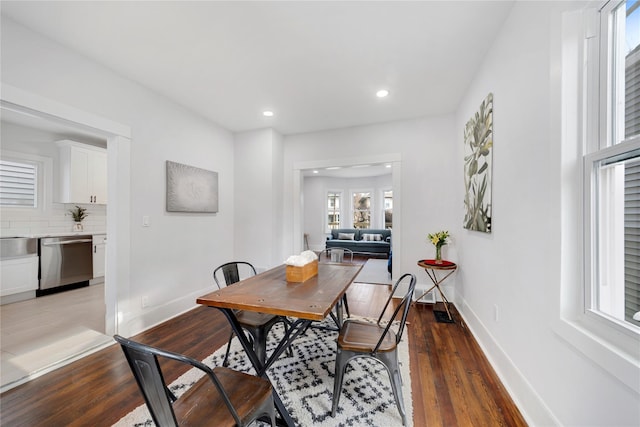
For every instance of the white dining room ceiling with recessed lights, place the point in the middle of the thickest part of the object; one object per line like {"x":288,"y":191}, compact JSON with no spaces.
{"x":317,"y":65}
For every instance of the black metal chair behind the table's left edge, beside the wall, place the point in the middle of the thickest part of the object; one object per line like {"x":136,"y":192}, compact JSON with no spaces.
{"x":256,"y":324}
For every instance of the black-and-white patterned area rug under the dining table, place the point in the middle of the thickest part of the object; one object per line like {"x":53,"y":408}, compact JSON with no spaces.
{"x":305,"y":384}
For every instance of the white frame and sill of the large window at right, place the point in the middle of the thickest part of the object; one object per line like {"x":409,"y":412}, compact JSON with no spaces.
{"x":612,"y":346}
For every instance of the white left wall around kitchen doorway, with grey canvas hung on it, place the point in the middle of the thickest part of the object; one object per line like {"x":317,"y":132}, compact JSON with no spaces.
{"x":171,"y":261}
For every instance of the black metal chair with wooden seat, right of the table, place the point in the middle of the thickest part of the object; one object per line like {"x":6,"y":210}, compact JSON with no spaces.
{"x":374,"y":340}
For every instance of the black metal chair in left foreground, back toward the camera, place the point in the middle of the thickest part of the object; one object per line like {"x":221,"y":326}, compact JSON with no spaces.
{"x":222,"y":396}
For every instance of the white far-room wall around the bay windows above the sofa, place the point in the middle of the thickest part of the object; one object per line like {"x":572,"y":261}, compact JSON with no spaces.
{"x":315,"y":203}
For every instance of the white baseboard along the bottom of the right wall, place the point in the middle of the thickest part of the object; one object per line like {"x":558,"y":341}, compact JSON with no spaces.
{"x":531,"y":405}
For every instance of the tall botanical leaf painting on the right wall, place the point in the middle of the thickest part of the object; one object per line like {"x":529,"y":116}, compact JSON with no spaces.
{"x":478,"y":159}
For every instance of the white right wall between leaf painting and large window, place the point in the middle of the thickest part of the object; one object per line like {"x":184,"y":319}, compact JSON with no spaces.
{"x":516,"y":269}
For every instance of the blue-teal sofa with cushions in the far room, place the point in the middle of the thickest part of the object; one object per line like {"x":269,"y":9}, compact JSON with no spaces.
{"x":378,"y":241}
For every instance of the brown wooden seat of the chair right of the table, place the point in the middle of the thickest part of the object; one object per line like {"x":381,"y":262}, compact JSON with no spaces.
{"x":363,"y":337}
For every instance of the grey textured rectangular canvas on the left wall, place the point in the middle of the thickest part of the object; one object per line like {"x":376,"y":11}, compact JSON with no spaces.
{"x":191,"y":189}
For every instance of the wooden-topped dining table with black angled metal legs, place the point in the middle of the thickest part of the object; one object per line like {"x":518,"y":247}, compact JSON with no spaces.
{"x":269,"y":292}
